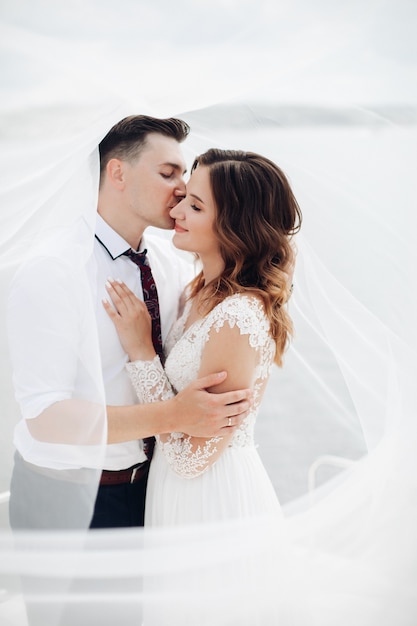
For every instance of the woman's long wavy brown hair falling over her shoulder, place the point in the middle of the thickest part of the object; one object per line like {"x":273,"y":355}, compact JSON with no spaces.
{"x":257,"y":215}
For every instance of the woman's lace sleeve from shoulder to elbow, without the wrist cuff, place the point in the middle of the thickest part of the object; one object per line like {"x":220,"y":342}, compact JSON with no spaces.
{"x":240,"y":327}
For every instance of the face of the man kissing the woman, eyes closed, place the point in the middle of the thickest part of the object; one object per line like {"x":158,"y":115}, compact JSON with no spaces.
{"x":154,"y":182}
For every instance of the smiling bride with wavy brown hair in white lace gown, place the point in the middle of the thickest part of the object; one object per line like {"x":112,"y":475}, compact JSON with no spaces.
{"x":238,"y":216}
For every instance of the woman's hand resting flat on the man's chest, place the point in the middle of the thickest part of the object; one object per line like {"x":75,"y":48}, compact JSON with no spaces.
{"x":132,"y":321}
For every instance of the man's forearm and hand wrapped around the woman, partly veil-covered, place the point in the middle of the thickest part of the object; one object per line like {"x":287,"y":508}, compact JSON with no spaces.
{"x":194,"y":410}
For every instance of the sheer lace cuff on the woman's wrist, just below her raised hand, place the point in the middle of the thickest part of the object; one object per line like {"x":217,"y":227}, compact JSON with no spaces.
{"x":149,"y":380}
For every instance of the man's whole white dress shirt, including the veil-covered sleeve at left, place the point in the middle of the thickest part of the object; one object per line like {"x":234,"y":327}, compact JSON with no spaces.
{"x":64,"y":346}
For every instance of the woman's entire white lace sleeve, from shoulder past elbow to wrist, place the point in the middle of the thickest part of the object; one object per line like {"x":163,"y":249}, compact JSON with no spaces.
{"x":239,"y":317}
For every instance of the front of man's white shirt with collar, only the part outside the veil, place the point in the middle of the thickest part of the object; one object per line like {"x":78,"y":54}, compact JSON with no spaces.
{"x":171,"y":273}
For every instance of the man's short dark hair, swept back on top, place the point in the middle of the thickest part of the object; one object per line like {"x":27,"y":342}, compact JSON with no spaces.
{"x":126,"y":139}
